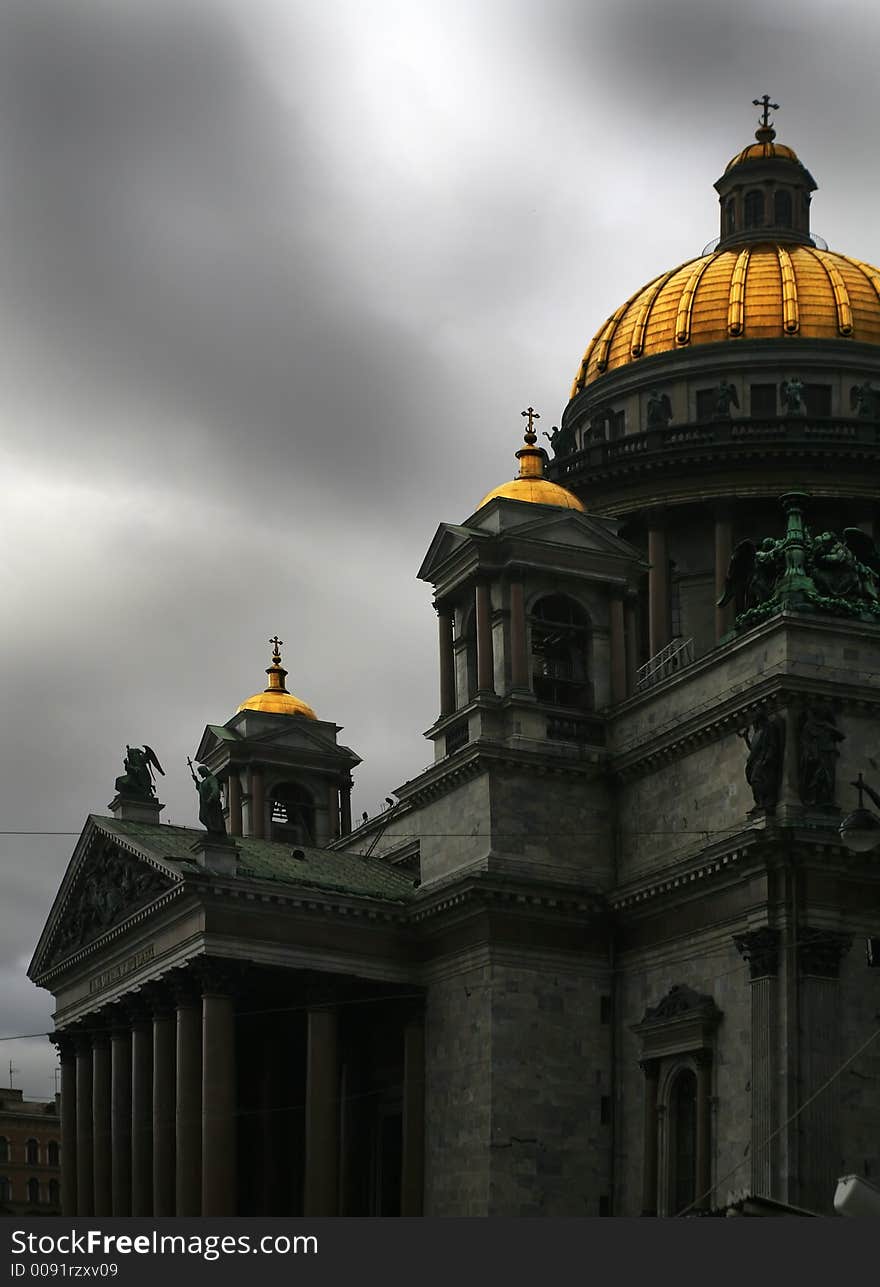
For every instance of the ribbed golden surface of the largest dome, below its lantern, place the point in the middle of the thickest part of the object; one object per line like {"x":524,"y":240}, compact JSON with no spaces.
{"x":765,"y":292}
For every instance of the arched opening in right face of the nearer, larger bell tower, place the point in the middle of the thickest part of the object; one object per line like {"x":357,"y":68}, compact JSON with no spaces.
{"x":560,"y":640}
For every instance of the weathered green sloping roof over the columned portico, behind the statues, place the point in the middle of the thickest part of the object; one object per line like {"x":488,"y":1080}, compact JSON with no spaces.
{"x":333,"y":871}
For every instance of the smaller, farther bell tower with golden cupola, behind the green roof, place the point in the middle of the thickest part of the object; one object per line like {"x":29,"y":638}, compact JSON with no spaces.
{"x":285,"y":775}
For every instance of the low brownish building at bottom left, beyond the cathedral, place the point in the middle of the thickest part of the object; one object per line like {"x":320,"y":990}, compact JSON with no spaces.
{"x":30,"y":1155}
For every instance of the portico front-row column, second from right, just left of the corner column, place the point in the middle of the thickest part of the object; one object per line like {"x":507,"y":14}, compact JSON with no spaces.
{"x":188,"y":1101}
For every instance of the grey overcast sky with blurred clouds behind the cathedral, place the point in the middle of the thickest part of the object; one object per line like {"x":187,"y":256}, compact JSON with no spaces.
{"x":276,"y":282}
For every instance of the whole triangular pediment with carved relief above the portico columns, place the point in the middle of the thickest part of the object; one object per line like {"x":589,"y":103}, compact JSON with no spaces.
{"x":105,"y":885}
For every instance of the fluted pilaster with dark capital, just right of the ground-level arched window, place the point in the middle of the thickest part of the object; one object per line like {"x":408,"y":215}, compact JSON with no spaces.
{"x":760,"y":948}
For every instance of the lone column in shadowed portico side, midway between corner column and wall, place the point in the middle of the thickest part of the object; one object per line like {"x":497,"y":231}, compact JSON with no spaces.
{"x":322,"y":1116}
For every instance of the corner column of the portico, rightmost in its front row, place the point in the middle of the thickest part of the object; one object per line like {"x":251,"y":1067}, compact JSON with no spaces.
{"x":219,"y":1124}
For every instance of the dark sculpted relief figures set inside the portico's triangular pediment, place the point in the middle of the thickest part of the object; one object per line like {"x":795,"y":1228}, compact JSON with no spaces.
{"x":110,"y":889}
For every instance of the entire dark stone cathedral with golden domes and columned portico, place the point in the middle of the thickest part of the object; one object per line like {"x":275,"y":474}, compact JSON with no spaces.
{"x":616,"y":952}
